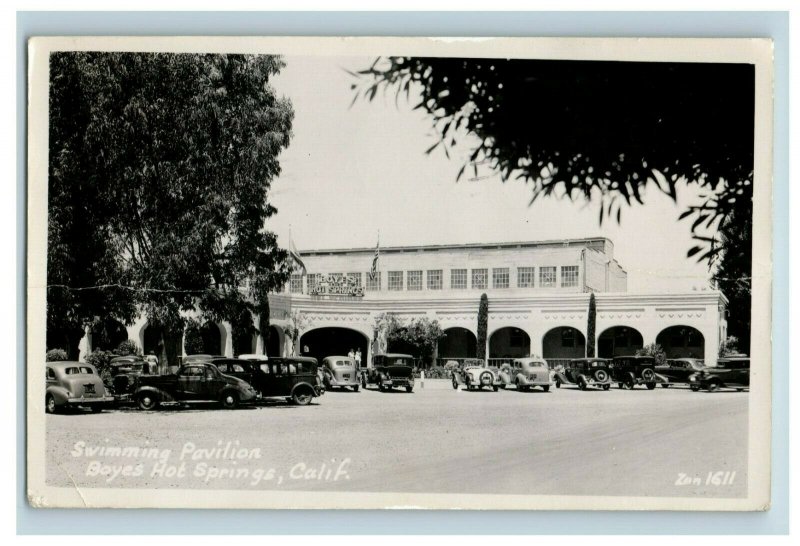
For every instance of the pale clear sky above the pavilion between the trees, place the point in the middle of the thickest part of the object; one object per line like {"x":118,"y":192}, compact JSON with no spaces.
{"x":351,"y":172}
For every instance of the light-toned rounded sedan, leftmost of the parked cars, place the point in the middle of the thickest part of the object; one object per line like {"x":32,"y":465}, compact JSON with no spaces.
{"x":74,"y":384}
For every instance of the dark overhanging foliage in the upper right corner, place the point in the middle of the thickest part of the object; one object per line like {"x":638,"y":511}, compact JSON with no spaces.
{"x":592,"y":129}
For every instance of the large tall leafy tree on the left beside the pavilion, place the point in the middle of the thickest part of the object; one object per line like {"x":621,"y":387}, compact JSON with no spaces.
{"x":171,"y":157}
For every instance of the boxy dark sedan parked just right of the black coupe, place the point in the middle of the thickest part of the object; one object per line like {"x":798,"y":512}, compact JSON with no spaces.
{"x":292,"y":378}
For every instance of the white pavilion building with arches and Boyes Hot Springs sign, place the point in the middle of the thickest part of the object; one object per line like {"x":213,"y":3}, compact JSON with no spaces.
{"x":538,"y":303}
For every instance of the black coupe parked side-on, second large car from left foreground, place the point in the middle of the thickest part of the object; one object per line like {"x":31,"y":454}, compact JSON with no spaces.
{"x":193,"y":382}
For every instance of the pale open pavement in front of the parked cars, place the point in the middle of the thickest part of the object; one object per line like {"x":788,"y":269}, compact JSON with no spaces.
{"x":664,"y":442}
